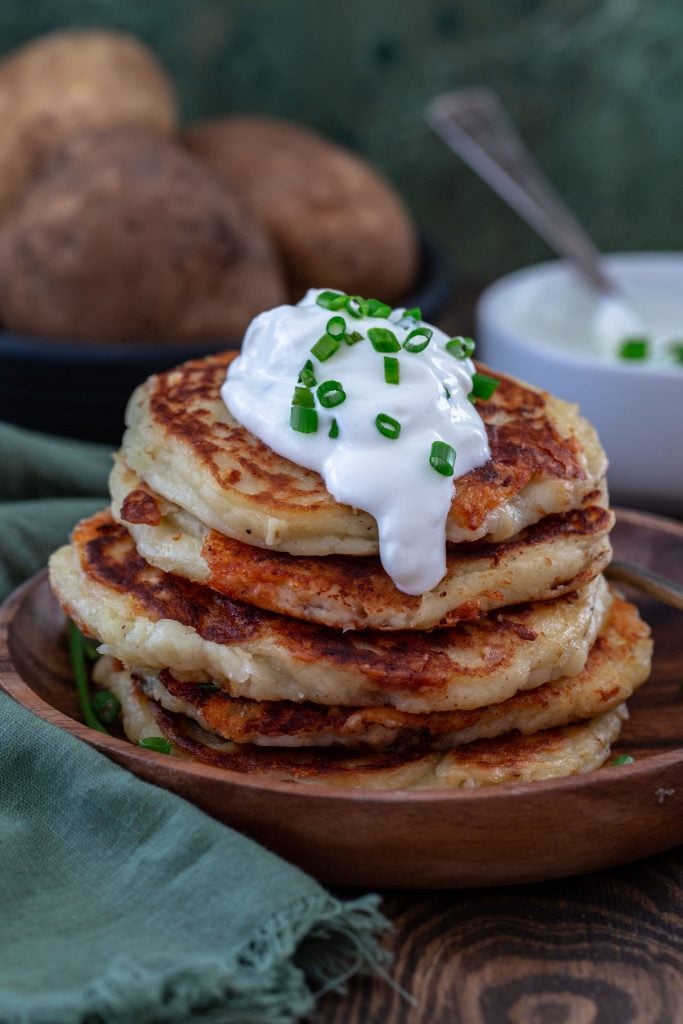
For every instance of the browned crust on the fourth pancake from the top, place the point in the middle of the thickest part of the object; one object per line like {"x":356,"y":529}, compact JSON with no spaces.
{"x":241,"y":720}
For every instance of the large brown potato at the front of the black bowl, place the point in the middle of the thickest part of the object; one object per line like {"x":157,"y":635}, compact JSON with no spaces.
{"x":126,"y":237}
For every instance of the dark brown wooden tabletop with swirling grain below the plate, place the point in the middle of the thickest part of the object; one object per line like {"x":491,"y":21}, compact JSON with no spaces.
{"x":603,"y":949}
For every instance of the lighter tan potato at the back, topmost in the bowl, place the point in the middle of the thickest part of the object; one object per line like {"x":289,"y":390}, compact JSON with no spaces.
{"x":66,"y":82}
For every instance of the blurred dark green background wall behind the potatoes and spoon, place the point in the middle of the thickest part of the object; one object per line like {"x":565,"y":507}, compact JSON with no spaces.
{"x":596,"y":90}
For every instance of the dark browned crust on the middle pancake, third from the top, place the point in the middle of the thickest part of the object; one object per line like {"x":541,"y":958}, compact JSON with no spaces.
{"x":417,"y":661}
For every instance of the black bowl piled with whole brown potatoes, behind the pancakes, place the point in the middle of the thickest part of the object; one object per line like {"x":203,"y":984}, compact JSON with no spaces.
{"x":129,"y":246}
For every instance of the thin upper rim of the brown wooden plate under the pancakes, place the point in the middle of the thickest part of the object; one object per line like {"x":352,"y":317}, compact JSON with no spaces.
{"x":21,"y":692}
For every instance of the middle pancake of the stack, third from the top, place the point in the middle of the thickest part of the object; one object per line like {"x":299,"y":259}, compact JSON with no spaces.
{"x":151,"y":620}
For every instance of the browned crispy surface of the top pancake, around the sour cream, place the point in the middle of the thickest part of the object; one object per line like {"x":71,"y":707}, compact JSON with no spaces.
{"x":524,"y":443}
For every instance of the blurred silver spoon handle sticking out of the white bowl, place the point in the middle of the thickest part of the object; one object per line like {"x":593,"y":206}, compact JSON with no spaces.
{"x":475,"y":124}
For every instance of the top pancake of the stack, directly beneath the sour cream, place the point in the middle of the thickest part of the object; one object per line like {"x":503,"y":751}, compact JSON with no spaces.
{"x":185,"y":444}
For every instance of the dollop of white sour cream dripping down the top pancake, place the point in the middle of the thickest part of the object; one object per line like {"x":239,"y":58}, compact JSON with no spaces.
{"x":393,"y":480}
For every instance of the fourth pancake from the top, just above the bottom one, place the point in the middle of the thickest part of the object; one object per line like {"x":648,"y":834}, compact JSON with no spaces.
{"x":618,"y":664}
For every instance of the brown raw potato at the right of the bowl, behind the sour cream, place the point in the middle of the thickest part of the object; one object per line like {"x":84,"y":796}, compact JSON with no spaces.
{"x":336,"y":223}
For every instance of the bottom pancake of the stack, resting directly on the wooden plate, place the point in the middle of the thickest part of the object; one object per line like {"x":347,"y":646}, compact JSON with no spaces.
{"x":554,"y":753}
